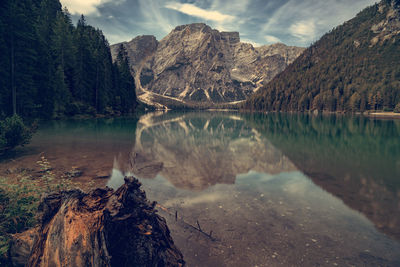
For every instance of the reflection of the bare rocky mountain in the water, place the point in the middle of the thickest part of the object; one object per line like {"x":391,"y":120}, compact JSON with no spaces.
{"x":196,"y":150}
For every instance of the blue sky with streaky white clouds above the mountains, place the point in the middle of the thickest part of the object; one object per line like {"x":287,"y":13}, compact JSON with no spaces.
{"x":292,"y":22}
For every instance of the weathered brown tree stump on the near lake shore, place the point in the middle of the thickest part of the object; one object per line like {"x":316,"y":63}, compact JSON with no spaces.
{"x":102,"y":228}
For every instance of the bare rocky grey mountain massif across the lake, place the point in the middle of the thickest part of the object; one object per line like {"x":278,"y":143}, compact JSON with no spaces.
{"x":195,"y":63}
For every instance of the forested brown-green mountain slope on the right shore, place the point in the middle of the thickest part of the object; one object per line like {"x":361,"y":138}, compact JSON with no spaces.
{"x":354,"y":67}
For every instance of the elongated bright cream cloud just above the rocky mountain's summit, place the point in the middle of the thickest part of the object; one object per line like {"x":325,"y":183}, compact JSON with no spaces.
{"x":192,"y":10}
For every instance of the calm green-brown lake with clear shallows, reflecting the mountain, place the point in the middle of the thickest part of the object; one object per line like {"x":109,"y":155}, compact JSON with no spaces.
{"x":264,"y":189}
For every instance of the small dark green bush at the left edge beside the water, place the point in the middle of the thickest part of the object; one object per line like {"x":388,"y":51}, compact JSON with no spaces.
{"x":13,"y":133}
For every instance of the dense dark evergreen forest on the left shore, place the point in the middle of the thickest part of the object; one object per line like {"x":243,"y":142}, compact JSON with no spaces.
{"x":46,"y":63}
